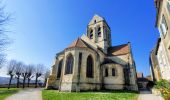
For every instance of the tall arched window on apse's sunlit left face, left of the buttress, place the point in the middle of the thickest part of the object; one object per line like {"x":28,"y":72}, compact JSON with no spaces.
{"x":69,"y":64}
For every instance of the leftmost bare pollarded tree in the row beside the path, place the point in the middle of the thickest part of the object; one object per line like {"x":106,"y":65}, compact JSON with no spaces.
{"x":10,"y":69}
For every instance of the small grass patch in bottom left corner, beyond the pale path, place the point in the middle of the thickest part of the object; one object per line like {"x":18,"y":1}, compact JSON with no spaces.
{"x":4,"y":92}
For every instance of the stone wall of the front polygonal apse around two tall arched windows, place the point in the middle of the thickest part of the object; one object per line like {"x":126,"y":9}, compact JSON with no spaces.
{"x":72,"y":79}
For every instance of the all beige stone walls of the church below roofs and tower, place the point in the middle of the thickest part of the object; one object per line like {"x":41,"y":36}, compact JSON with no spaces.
{"x":71,"y":82}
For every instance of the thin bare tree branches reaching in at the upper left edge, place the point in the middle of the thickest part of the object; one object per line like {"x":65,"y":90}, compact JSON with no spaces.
{"x":4,"y":18}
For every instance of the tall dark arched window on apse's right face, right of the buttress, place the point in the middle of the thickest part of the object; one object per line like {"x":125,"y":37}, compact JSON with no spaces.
{"x":89,"y":68}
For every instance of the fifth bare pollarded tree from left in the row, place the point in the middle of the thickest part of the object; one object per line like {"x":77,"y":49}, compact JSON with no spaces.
{"x":38,"y":72}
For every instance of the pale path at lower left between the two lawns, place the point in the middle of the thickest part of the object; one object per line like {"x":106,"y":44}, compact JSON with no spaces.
{"x":27,"y":94}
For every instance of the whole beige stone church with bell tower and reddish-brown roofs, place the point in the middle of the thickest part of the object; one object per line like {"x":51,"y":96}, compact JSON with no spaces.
{"x":91,"y":63}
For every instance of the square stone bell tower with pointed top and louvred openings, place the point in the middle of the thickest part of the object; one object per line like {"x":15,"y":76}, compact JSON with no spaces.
{"x":99,"y":32}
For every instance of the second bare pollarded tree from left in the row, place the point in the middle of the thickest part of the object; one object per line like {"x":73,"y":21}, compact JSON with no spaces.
{"x":18,"y":71}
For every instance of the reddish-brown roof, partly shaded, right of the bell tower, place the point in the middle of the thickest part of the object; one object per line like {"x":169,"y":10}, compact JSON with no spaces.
{"x":119,"y":50}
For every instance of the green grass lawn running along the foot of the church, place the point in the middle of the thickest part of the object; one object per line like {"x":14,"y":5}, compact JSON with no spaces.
{"x":115,"y":95}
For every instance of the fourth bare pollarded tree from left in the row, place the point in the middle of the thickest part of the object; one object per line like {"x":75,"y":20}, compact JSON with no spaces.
{"x":30,"y":73}
